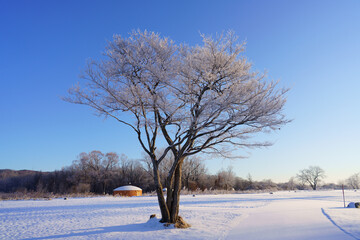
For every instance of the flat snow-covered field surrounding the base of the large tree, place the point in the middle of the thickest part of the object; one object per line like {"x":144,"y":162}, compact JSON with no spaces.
{"x":282,"y":215}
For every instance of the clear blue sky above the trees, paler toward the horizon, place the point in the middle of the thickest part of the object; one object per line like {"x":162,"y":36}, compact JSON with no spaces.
{"x":311,"y":46}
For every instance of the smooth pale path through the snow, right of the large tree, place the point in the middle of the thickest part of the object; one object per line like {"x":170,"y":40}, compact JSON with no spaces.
{"x":296,"y":219}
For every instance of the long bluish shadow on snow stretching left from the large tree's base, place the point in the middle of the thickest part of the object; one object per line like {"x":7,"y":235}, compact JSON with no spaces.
{"x":138,"y":227}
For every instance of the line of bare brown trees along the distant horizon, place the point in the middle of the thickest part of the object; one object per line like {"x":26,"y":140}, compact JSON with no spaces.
{"x":100,"y":173}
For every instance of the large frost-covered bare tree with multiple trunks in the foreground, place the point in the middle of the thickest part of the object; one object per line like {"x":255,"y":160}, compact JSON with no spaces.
{"x":198,"y":99}
